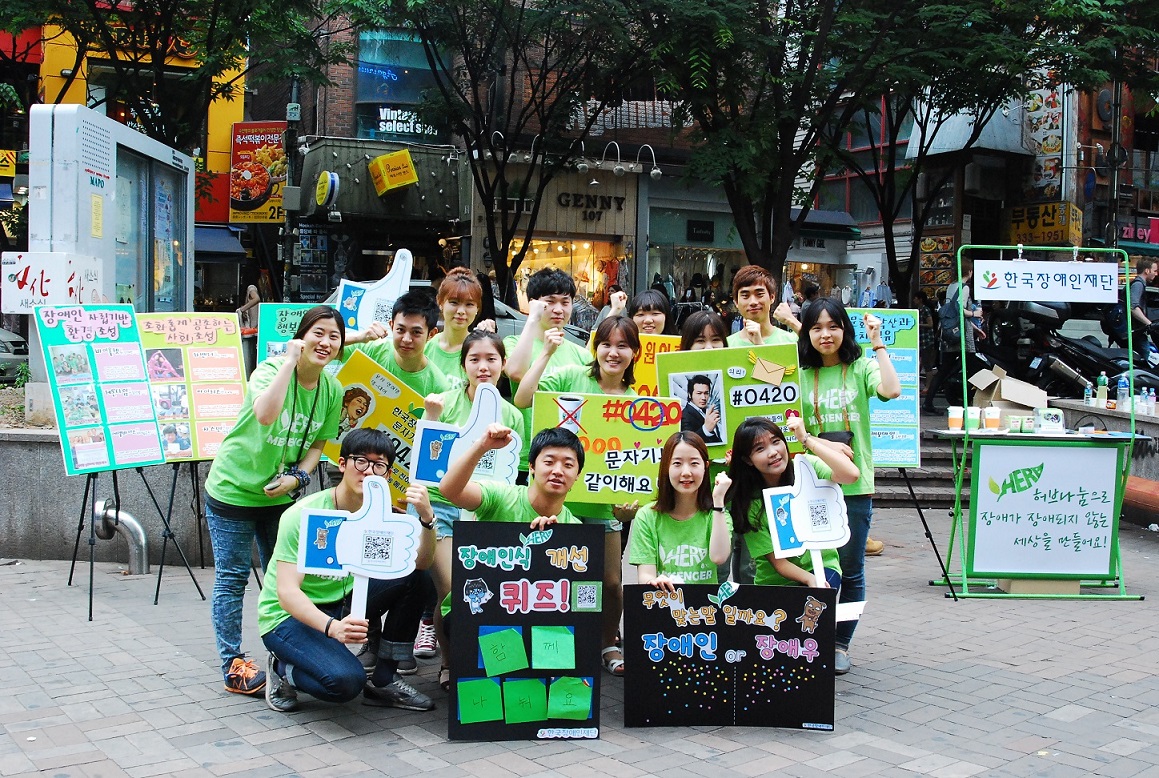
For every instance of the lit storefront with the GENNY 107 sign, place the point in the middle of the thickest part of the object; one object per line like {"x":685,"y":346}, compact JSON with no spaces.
{"x":586,"y":228}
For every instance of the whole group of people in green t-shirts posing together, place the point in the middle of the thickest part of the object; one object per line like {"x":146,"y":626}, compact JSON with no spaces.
{"x":293,"y":408}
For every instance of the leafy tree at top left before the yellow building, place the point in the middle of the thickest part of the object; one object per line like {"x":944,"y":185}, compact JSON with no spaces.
{"x":222,"y":41}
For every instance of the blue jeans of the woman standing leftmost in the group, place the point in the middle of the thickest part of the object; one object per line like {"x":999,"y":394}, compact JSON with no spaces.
{"x":234,"y":541}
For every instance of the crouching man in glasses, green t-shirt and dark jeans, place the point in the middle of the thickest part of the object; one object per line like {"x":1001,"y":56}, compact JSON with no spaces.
{"x":305,"y":621}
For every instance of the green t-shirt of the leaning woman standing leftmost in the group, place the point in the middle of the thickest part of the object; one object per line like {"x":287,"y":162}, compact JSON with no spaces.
{"x":251,"y":454}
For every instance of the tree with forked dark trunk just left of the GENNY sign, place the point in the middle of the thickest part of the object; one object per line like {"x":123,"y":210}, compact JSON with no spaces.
{"x":516,"y":75}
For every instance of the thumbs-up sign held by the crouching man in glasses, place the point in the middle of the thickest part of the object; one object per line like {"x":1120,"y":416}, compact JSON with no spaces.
{"x":371,"y":543}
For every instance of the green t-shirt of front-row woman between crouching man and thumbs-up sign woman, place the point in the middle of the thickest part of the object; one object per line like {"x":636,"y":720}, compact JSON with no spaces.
{"x":676,"y":548}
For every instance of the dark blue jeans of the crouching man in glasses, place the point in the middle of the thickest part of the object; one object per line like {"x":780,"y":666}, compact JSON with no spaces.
{"x":325,"y":668}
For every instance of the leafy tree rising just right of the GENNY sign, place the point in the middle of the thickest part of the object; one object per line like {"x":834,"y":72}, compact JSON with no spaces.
{"x":762,"y":84}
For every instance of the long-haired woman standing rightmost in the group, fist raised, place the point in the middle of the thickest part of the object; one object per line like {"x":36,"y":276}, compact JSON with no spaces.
{"x":837,"y":384}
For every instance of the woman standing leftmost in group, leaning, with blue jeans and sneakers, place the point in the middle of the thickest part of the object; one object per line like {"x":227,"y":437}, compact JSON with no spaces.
{"x":290,"y":410}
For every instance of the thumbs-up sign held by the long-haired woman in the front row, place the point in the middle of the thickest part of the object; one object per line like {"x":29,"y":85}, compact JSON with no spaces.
{"x":807,"y":517}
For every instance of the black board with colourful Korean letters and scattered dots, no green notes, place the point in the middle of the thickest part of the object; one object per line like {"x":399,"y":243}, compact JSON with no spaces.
{"x":721,"y":656}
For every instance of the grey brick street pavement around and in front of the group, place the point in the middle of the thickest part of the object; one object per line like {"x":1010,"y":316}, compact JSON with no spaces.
{"x":989,"y":688}
